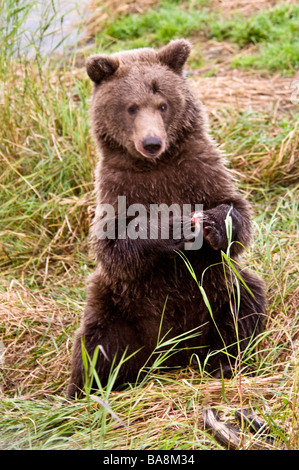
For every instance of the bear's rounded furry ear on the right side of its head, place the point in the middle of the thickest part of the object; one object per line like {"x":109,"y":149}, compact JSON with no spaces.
{"x":175,"y":54}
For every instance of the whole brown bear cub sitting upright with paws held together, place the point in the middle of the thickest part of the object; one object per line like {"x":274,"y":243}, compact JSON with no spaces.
{"x":155,"y":150}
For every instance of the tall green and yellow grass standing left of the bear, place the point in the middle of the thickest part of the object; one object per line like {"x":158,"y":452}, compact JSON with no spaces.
{"x":46,"y":158}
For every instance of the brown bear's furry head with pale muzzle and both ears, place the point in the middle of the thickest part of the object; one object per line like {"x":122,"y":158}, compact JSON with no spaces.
{"x":141,"y":101}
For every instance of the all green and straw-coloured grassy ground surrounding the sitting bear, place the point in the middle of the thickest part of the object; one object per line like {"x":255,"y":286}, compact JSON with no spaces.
{"x":245,"y":69}
